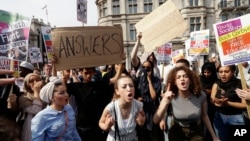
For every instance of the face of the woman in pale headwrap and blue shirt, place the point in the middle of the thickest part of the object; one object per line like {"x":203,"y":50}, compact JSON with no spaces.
{"x":60,"y":96}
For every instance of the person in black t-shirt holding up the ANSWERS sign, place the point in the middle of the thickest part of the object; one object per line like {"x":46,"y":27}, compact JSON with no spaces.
{"x":91,"y":97}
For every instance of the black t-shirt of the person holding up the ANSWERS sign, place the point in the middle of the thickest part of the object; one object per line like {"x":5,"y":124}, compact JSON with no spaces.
{"x":90,"y":100}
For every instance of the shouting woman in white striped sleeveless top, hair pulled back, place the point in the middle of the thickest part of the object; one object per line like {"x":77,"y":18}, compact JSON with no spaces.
{"x":121,"y":115}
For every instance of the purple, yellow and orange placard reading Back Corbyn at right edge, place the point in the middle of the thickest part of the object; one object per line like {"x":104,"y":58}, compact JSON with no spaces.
{"x":232,"y":37}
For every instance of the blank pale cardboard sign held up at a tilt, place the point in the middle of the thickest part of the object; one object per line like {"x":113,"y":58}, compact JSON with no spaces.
{"x":161,"y":25}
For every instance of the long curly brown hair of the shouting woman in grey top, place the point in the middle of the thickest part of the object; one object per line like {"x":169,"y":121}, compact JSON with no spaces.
{"x":195,"y":85}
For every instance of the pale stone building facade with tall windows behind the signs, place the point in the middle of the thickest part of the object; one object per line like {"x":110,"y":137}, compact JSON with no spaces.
{"x":199,"y":14}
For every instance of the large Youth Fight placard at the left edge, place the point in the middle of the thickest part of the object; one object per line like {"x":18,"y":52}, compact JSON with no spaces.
{"x":14,"y":36}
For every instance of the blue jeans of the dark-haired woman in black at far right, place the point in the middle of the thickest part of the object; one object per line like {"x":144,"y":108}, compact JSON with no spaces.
{"x":222,"y":122}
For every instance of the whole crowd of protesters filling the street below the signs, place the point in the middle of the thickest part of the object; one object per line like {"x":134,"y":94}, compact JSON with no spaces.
{"x":111,"y":103}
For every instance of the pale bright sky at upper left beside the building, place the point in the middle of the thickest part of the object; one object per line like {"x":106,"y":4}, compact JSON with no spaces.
{"x":61,"y":13}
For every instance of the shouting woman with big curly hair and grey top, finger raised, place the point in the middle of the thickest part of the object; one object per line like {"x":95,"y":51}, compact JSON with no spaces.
{"x":189,"y":106}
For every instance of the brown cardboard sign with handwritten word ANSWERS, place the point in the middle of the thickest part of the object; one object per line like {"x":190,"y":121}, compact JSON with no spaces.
{"x":78,"y":47}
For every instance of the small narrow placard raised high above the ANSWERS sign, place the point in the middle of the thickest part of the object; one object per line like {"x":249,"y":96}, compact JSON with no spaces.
{"x":82,"y":11}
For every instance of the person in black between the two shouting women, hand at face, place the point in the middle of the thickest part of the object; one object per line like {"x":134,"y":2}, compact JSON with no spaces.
{"x":148,"y":91}
